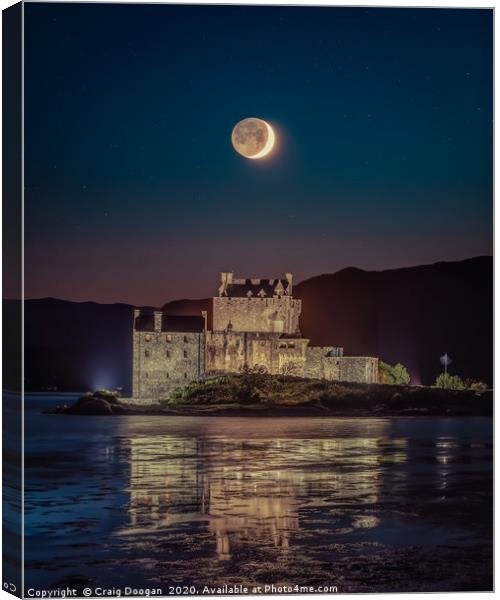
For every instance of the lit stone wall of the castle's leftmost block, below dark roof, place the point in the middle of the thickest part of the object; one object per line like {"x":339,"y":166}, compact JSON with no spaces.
{"x":163,"y":361}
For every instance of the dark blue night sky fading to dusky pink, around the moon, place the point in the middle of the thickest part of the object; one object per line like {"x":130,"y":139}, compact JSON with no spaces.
{"x":135,"y":194}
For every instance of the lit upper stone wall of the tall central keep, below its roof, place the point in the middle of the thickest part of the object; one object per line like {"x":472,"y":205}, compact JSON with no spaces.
{"x":272,"y":315}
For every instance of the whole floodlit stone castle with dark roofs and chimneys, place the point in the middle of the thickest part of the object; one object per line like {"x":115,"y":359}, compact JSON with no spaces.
{"x":254,"y":323}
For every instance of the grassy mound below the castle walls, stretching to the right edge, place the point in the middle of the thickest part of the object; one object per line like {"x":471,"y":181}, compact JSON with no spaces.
{"x":261,"y":391}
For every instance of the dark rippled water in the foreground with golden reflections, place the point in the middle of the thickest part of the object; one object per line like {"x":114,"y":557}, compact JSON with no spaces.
{"x":382,"y":504}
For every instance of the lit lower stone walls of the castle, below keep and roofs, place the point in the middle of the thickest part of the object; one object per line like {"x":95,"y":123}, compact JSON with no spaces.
{"x":163,"y":361}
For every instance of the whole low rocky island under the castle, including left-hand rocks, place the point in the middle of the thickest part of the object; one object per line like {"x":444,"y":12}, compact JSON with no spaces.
{"x":261,"y":394}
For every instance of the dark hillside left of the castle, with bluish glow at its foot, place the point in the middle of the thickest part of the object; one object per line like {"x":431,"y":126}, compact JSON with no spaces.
{"x":75,"y":346}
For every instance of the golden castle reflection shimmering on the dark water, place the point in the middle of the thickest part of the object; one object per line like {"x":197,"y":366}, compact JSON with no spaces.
{"x":250,"y":492}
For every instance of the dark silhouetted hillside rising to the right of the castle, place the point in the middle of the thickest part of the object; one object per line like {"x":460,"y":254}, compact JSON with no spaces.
{"x":411,"y":315}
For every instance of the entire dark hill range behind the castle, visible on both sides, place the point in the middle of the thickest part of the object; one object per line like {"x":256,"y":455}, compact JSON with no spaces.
{"x":411,"y":315}
